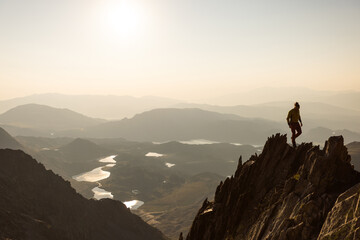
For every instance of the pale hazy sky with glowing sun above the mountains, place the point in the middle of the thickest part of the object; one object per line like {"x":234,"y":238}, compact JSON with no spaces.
{"x":185,"y":49}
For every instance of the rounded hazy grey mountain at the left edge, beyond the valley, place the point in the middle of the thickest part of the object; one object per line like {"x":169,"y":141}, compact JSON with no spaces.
{"x":43,"y":117}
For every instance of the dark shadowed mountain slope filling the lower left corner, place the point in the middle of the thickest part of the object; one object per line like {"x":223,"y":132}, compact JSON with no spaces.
{"x":37,"y":204}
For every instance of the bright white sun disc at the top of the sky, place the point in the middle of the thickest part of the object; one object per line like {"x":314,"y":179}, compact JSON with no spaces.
{"x":124,"y":19}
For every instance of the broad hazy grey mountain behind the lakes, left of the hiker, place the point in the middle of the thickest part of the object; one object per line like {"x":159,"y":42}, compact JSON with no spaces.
{"x":187,"y":124}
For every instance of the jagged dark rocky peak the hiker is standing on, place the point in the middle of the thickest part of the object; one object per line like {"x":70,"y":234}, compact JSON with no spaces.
{"x":284,"y":193}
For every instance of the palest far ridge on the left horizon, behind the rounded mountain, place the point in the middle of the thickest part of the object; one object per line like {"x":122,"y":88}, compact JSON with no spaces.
{"x":99,"y":106}
